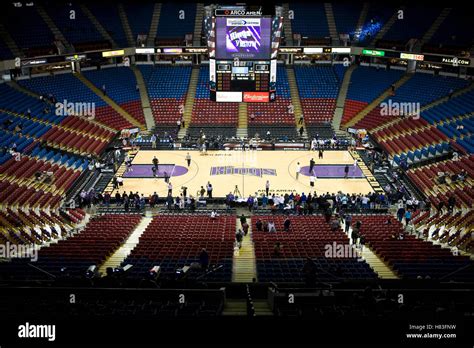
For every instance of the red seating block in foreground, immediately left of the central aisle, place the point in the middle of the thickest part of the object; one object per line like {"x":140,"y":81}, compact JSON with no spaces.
{"x":180,"y":246}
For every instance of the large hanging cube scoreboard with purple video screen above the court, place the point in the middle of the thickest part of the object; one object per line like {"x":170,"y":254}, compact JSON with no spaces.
{"x":242,"y":59}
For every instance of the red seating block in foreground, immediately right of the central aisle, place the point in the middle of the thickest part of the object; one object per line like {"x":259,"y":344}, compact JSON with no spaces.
{"x":309,"y":236}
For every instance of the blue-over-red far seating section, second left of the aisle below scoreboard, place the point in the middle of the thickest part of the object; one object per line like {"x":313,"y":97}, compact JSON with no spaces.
{"x":167,"y":88}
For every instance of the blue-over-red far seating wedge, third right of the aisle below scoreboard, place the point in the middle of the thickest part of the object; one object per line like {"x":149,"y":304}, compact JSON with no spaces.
{"x":365,"y":86}
